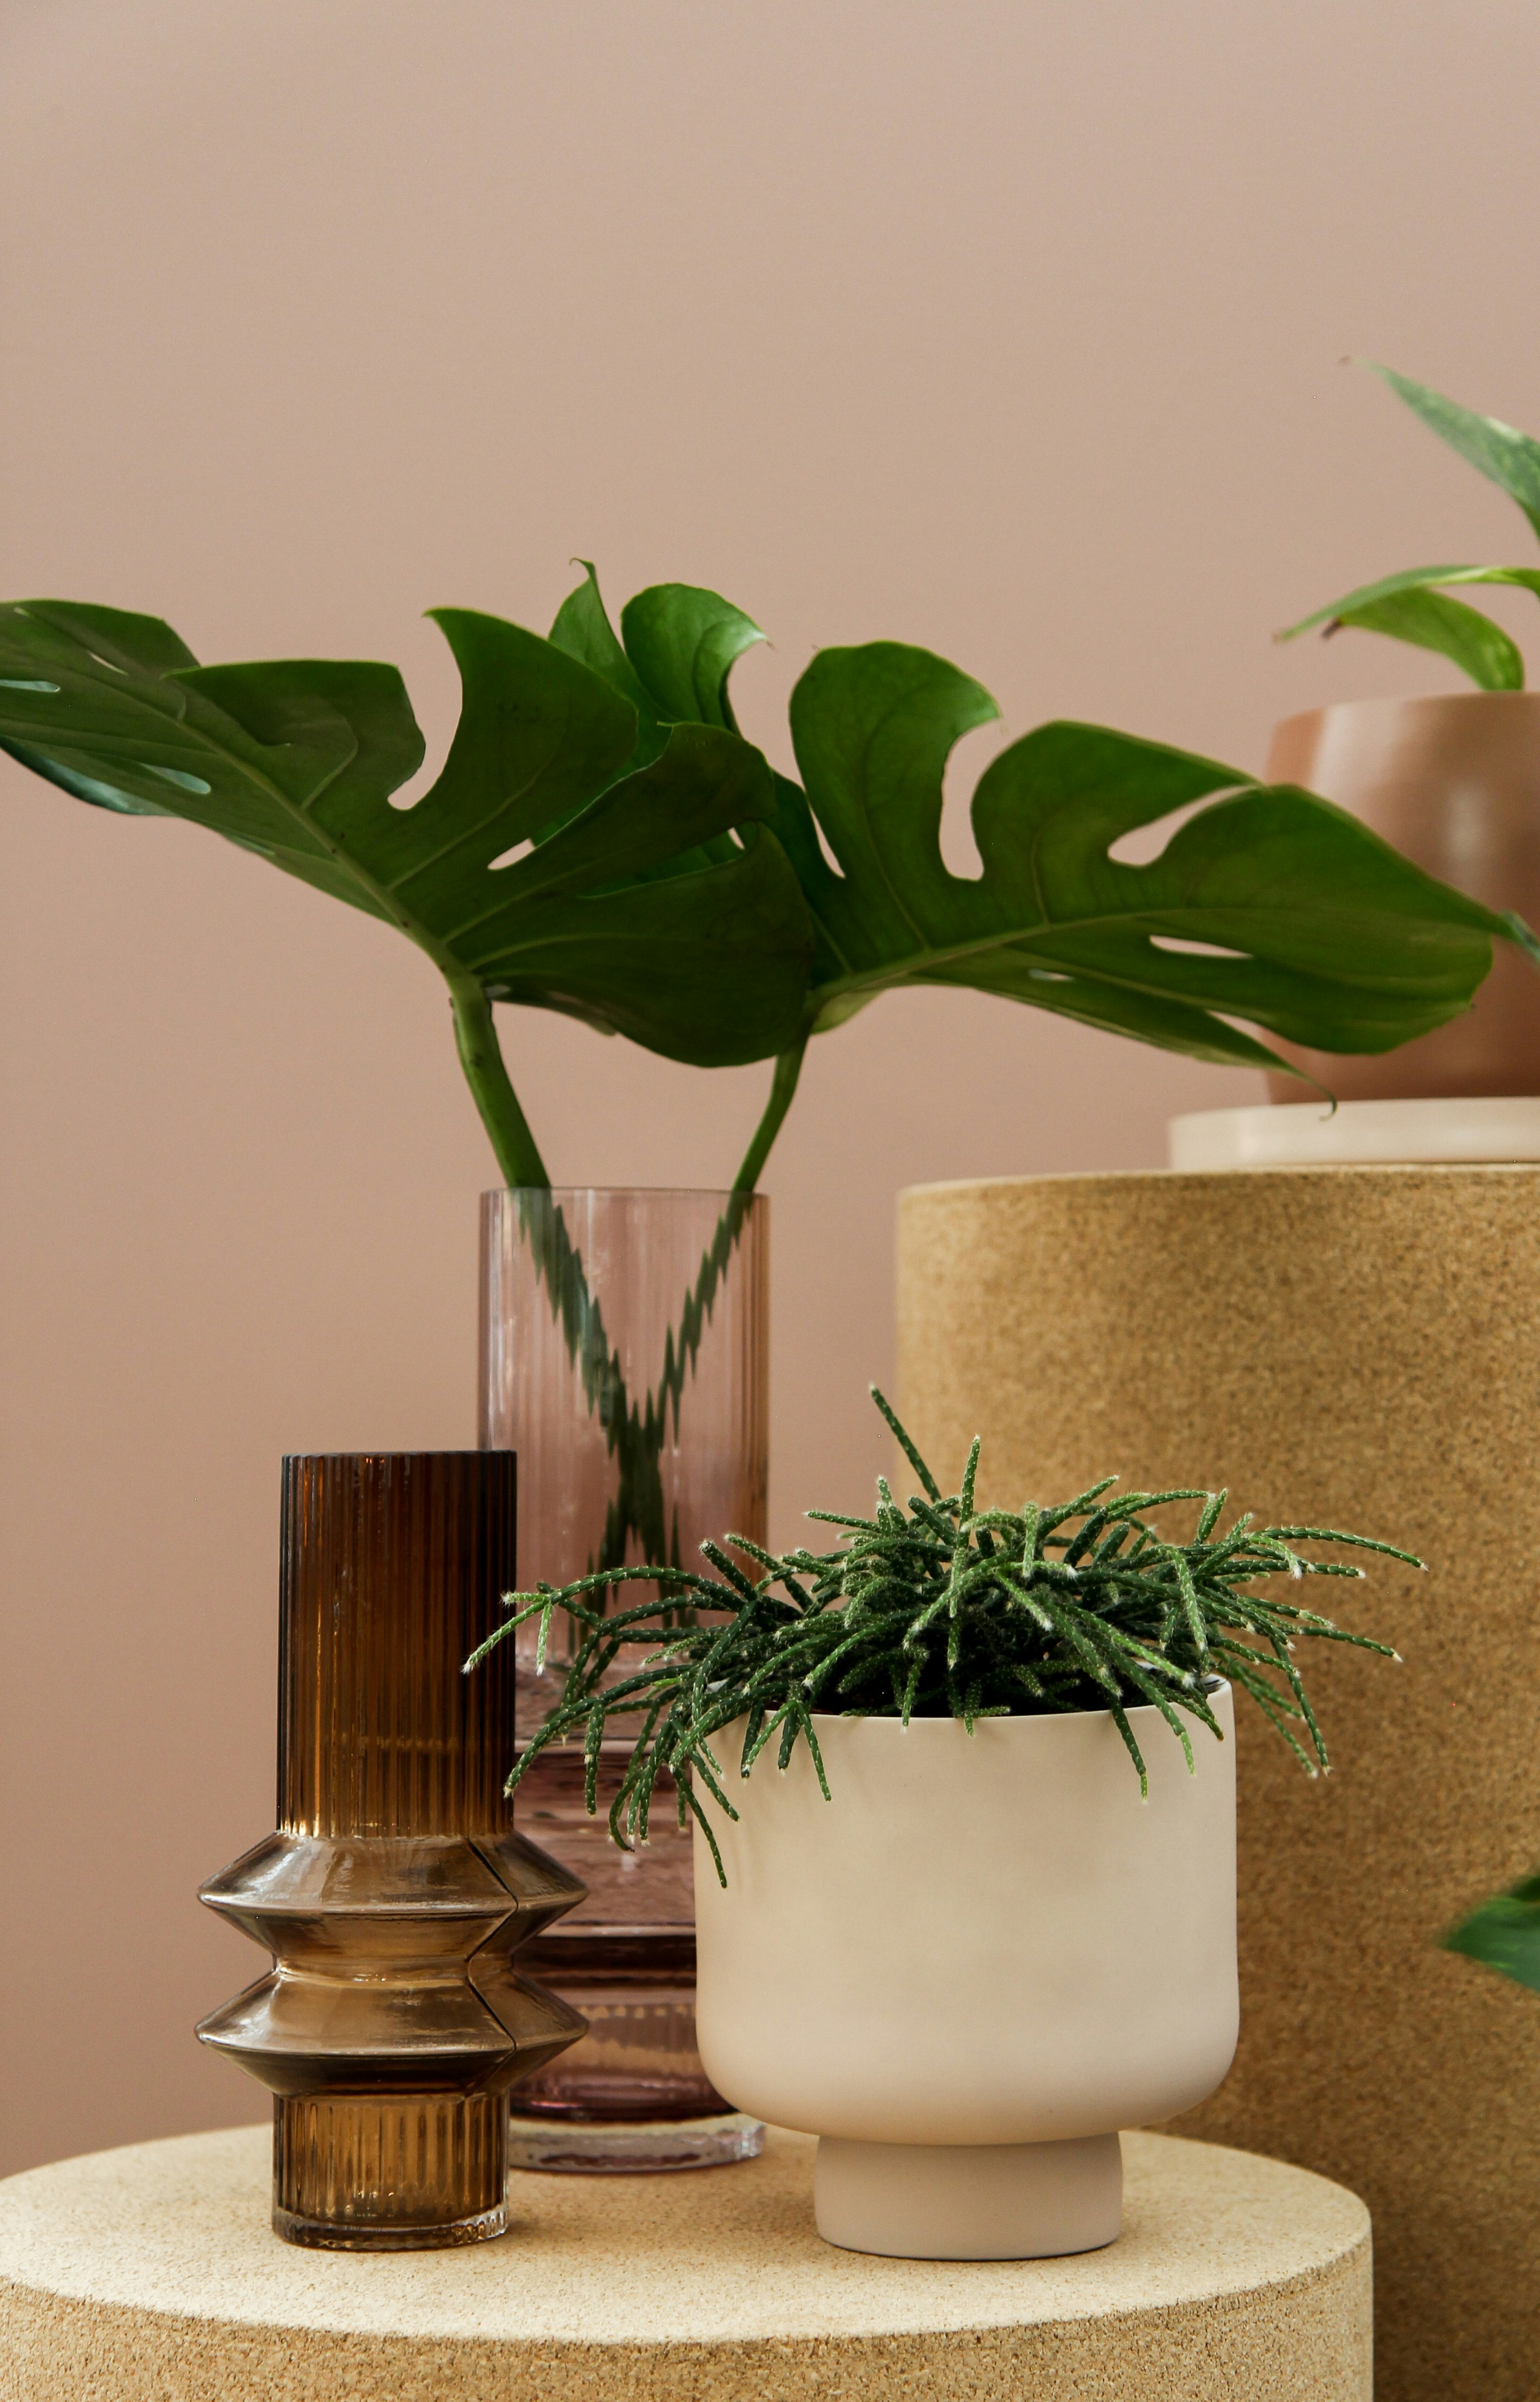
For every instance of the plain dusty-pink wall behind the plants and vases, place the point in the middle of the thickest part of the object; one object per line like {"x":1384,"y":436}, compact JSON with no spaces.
{"x":996,"y":325}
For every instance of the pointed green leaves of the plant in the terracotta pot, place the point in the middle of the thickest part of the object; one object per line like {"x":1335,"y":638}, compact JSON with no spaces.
{"x":1414,"y":607}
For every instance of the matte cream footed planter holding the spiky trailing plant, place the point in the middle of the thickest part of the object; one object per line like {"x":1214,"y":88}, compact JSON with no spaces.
{"x":972,"y":1966}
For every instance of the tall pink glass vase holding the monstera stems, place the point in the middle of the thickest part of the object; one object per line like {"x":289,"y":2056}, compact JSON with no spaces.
{"x":626,"y":1361}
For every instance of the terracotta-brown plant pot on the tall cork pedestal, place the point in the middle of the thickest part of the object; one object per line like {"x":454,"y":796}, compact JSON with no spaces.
{"x":1455,"y":784}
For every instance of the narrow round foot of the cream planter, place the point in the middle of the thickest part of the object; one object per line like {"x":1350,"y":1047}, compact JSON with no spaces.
{"x":969,"y":2201}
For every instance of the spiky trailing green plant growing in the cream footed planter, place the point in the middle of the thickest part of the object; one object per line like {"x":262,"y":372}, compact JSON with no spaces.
{"x":936,"y":1611}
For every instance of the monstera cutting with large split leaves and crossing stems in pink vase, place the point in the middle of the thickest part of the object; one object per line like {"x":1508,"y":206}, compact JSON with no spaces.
{"x":607,"y":844}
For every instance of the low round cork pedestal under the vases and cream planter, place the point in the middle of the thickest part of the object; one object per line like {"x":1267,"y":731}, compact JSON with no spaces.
{"x":153,"y":2276}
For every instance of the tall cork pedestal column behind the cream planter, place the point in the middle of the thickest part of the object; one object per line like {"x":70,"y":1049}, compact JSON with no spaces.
{"x":1351,"y":1346}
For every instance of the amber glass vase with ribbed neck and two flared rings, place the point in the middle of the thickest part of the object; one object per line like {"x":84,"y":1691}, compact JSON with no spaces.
{"x":395,"y":1892}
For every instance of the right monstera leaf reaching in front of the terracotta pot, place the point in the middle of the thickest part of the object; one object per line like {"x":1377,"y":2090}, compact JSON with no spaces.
{"x":1267,"y":907}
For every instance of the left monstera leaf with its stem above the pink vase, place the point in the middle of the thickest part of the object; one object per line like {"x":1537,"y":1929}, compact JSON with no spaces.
{"x":559,"y":861}
